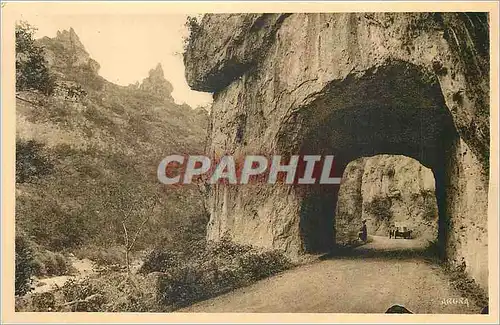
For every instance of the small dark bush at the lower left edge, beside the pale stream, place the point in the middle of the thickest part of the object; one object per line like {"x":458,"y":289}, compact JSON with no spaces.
{"x":24,"y":265}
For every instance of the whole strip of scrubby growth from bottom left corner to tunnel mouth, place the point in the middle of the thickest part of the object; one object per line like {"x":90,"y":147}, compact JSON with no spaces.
{"x":168,"y":280}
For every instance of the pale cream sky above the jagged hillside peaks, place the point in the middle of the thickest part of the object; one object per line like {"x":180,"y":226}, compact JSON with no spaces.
{"x":128,"y":46}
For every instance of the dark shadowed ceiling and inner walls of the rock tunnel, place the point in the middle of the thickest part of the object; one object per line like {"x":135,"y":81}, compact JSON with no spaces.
{"x":393,"y":109}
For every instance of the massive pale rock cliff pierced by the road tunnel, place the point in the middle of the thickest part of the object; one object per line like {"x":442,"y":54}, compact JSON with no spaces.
{"x":353,"y":85}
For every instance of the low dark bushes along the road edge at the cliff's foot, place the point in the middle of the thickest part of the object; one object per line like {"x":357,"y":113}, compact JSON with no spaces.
{"x":221,"y":267}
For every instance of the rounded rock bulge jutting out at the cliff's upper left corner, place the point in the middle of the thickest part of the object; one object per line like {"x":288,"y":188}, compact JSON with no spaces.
{"x":230,"y":44}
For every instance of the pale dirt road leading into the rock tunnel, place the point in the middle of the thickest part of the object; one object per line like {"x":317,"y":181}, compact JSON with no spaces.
{"x":369,"y":282}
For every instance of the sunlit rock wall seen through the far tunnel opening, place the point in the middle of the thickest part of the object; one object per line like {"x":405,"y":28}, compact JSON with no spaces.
{"x":384,"y":190}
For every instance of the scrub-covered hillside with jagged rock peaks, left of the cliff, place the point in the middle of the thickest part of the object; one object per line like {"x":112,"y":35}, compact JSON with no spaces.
{"x":87,"y":157}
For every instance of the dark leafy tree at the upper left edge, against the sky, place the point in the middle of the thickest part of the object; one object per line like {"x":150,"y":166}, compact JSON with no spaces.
{"x":32,"y":72}
